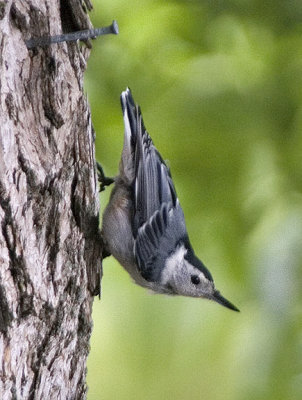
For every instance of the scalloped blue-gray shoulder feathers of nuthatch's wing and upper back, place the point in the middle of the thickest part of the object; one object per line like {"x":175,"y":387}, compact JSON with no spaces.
{"x":158,"y":238}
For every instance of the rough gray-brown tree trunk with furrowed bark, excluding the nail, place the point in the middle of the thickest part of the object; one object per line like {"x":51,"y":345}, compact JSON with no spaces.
{"x":49,"y":237}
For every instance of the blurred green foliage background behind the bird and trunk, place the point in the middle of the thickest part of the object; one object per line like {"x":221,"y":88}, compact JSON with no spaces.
{"x":220,"y":86}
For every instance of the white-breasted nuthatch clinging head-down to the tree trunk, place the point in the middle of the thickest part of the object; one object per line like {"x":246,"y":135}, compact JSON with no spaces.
{"x":143,"y":224}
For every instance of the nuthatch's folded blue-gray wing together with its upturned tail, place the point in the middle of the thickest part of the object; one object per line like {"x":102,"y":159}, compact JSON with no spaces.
{"x":158,"y":220}
